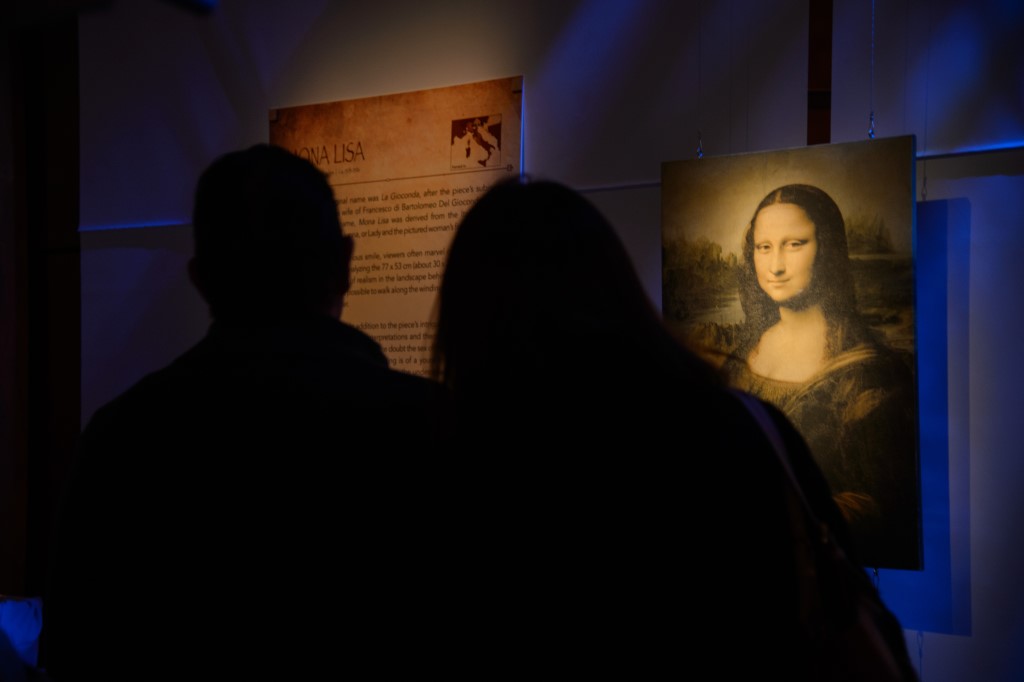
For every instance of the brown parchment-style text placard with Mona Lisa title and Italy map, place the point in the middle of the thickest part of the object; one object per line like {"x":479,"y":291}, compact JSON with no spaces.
{"x":405,"y":169}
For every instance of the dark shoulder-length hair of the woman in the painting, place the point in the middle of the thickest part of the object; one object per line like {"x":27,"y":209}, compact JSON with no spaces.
{"x":832,"y":279}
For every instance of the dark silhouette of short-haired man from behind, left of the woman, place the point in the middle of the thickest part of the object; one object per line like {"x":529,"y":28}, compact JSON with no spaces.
{"x":228,"y":513}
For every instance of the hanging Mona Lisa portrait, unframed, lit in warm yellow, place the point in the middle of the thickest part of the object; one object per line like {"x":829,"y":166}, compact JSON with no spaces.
{"x":793,"y":273}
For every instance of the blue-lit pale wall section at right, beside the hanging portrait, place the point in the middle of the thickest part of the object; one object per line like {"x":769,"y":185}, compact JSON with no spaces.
{"x":953,"y":75}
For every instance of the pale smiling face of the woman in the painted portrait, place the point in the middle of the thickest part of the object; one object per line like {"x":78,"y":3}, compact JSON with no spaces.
{"x":785,"y":247}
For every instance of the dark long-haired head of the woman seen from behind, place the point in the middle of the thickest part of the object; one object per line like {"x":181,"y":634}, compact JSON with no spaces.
{"x":537,"y":283}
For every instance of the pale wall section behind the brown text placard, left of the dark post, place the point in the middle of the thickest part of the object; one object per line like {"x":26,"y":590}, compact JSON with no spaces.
{"x":612,"y":91}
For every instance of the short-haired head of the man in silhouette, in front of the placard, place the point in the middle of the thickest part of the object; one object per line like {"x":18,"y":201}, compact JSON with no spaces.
{"x":269,"y":243}
